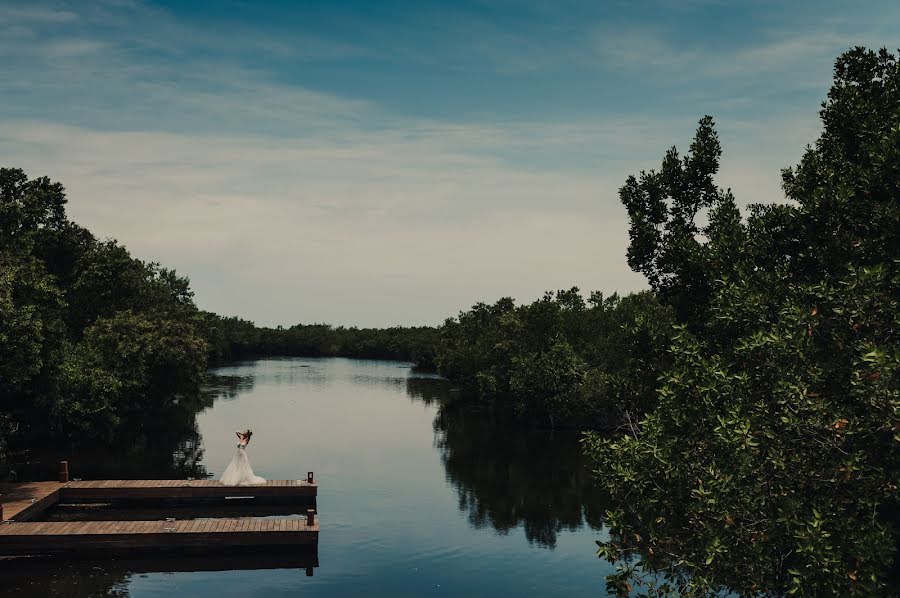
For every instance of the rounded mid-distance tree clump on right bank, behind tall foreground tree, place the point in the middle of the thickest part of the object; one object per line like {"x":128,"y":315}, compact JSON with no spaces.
{"x":560,"y":361}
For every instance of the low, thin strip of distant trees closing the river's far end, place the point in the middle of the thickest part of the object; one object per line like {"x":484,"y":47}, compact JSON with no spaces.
{"x":234,"y":338}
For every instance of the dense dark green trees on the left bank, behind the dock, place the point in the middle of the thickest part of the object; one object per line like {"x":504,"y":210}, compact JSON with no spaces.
{"x":88,"y":334}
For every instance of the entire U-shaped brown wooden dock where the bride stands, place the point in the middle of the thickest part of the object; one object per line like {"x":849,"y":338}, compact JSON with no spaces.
{"x":22,"y":532}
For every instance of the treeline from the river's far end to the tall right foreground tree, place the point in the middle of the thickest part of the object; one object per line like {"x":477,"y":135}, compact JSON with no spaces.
{"x":561,"y":361}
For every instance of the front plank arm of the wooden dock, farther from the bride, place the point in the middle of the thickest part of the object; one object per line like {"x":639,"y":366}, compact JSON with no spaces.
{"x":65,"y":537}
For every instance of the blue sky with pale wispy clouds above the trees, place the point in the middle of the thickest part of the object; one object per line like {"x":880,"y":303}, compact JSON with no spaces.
{"x":378,"y":163}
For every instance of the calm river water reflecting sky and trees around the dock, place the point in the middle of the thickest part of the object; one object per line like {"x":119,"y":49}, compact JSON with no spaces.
{"x":415,"y":499}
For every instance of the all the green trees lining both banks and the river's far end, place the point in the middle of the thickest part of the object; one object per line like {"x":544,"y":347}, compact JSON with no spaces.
{"x":749,"y":402}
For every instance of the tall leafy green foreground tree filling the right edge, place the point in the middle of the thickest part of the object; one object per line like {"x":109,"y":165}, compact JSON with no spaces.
{"x":770,"y":463}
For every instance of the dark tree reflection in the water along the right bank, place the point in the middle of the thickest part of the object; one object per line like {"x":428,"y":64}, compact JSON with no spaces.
{"x":507,"y":476}
